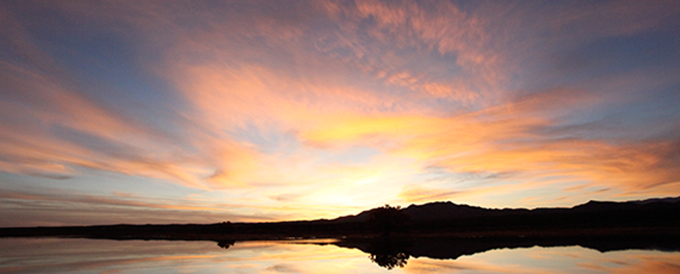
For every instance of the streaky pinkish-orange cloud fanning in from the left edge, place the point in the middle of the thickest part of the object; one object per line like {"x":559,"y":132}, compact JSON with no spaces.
{"x":51,"y":125}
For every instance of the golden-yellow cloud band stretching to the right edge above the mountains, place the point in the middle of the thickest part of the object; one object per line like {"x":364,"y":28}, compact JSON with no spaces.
{"x":510,"y":139}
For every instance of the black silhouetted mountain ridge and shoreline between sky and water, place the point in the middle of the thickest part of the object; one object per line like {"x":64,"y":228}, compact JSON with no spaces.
{"x":652,"y":217}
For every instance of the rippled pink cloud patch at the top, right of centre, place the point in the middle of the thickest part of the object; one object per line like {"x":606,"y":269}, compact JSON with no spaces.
{"x":429,"y":47}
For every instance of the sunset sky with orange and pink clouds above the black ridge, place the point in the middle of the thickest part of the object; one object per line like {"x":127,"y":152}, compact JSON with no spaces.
{"x":208,"y":111}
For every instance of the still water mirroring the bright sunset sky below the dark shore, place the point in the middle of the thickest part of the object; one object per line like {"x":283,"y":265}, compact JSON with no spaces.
{"x":49,"y":255}
